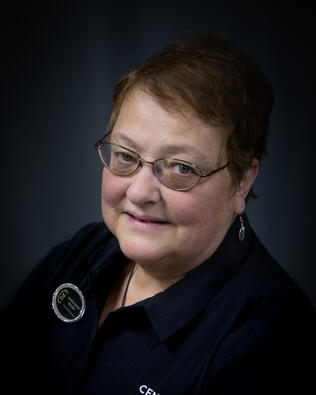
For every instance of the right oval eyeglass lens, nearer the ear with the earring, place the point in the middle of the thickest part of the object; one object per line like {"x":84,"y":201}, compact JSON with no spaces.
{"x":176,"y":175}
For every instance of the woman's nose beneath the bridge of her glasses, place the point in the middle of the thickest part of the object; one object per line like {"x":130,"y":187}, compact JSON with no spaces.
{"x":144,"y":187}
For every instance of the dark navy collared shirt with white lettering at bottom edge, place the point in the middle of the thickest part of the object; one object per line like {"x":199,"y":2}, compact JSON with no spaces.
{"x":236,"y":324}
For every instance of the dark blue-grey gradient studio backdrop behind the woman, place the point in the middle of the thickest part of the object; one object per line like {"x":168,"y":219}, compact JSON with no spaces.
{"x":60,"y":63}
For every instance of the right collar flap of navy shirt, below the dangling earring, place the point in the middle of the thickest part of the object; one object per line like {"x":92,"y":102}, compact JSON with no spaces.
{"x":170,"y":310}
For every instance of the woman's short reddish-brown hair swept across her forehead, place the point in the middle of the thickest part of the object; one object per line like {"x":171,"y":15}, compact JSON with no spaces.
{"x":219,"y":82}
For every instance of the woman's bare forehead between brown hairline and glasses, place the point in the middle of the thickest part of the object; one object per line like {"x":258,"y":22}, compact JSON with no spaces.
{"x":147,"y":125}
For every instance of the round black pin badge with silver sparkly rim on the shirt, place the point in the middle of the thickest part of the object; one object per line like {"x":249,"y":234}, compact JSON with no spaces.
{"x":68,"y":303}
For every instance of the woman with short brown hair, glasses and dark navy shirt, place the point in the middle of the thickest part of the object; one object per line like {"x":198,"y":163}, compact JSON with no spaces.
{"x":174,"y":294}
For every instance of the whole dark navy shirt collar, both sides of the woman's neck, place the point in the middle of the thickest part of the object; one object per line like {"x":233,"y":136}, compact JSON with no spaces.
{"x":173,"y":308}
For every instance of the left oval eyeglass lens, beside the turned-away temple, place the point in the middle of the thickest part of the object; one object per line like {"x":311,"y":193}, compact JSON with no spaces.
{"x":118,"y":159}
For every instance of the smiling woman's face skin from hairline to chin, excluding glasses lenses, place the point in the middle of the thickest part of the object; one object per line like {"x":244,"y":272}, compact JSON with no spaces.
{"x":156,"y":226}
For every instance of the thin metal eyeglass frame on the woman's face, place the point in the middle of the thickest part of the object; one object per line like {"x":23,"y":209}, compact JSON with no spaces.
{"x":98,"y":146}
